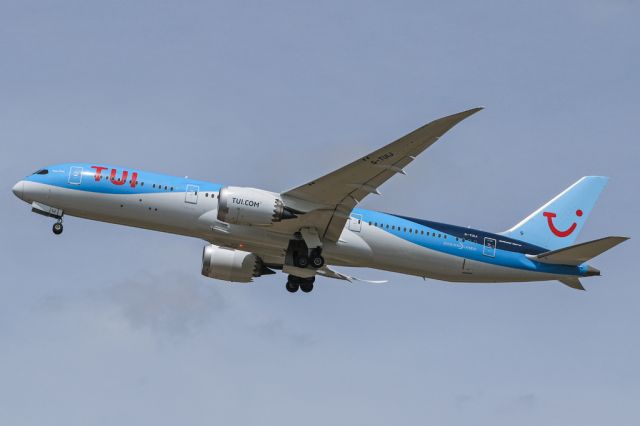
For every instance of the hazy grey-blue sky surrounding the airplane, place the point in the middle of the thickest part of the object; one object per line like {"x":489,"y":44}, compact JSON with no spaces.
{"x":111,"y":325}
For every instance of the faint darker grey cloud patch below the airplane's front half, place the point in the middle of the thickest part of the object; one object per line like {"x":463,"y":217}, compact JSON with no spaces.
{"x":174,"y":304}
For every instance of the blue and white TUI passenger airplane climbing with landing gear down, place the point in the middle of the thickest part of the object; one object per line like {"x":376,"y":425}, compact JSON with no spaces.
{"x":308,"y":230}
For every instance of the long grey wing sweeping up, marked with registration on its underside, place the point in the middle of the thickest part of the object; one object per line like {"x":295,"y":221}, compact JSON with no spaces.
{"x":334,"y":195}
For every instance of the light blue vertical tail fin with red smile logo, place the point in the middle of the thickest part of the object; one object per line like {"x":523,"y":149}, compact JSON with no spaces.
{"x":558,"y":223}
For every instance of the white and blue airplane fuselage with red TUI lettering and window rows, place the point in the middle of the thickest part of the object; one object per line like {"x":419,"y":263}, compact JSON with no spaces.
{"x":368,"y":239}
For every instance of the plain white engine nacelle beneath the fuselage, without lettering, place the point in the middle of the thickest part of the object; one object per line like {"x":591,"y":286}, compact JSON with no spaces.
{"x":230,"y":265}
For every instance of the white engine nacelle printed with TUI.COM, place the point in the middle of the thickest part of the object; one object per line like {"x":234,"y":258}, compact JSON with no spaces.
{"x":250,"y":206}
